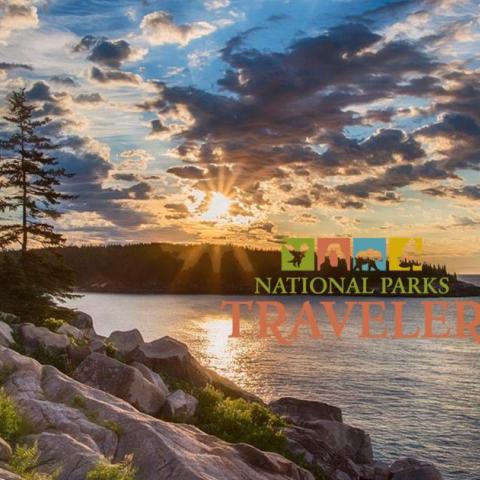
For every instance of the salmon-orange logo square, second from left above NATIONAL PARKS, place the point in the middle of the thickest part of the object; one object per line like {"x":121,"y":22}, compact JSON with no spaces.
{"x":333,"y":254}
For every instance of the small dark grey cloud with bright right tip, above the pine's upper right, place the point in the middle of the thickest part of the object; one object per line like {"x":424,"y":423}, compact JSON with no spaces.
{"x":109,"y":53}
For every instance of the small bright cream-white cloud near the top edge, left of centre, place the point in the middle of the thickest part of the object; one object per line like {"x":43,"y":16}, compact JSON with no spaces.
{"x":159,"y":29}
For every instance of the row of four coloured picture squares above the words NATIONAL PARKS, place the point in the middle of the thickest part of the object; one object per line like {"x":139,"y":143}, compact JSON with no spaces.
{"x":335,"y":255}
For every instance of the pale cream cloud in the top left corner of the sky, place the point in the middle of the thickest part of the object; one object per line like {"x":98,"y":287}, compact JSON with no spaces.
{"x":16,"y":15}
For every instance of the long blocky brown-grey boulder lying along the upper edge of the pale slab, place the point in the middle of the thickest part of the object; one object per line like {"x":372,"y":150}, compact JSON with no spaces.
{"x":121,"y":380}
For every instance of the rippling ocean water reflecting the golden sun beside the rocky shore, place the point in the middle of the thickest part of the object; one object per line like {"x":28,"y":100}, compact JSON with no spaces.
{"x":414,"y":397}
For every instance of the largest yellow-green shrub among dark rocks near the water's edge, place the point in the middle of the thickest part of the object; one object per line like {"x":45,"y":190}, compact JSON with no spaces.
{"x":236,"y":420}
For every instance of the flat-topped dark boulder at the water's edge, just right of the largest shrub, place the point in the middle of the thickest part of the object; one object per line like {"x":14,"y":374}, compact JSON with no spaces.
{"x":301,"y":411}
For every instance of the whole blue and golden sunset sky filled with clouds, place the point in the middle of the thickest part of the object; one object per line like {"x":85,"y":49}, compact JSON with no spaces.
{"x":248,"y":121}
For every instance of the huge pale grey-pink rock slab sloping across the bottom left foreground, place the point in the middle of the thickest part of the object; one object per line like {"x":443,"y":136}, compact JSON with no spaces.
{"x":161,"y":450}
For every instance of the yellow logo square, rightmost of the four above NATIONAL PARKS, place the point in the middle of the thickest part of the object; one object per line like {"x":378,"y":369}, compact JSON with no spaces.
{"x":405,"y":254}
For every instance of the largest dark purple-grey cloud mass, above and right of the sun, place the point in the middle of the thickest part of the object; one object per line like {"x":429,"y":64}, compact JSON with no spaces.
{"x":280,"y":105}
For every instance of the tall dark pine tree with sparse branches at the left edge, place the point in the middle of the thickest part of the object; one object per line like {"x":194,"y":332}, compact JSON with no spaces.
{"x":29,"y":178}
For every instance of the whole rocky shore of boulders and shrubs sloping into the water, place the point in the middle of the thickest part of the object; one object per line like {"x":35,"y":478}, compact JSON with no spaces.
{"x":90,"y":400}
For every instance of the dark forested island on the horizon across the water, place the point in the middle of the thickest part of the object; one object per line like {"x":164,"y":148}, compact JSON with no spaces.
{"x":205,"y":269}
